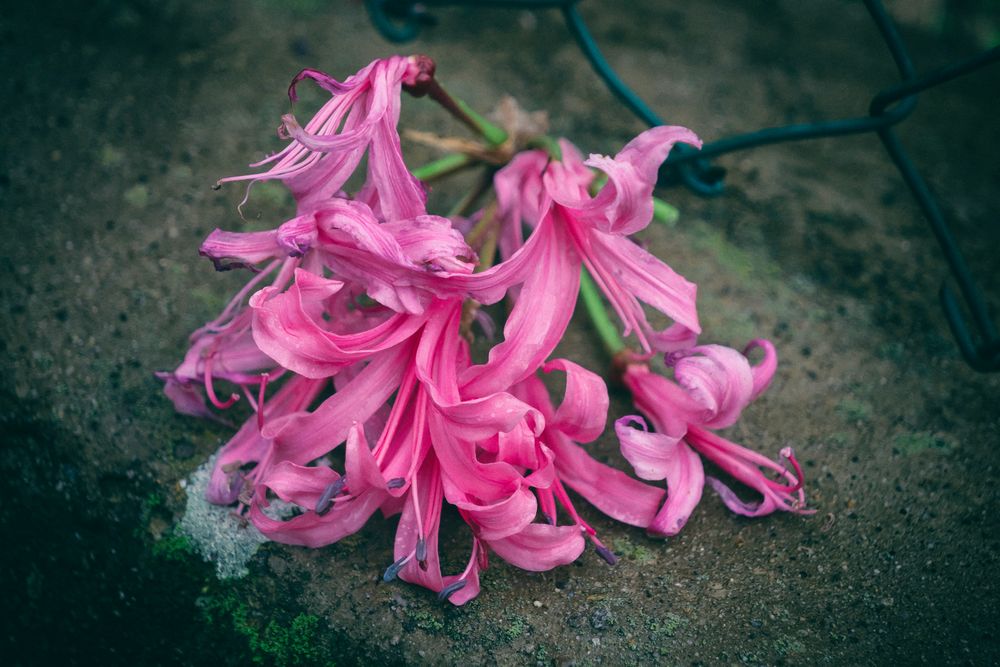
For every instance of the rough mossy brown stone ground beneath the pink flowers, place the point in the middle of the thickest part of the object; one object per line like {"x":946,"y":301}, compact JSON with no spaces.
{"x":119,"y":116}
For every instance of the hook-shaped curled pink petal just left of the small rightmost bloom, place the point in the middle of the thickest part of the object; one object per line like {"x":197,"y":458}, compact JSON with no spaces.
{"x":583,"y":413}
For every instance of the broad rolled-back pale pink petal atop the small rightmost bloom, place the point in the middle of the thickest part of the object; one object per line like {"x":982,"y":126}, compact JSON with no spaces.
{"x":718,"y":378}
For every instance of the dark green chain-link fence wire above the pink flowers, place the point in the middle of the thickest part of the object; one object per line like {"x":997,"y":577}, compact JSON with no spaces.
{"x":401,"y":21}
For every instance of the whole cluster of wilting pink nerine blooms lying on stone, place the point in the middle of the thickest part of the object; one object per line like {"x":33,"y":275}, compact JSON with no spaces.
{"x":351,"y":344}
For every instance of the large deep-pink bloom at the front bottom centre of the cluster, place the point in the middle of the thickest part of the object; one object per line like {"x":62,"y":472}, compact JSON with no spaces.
{"x":487,"y":456}
